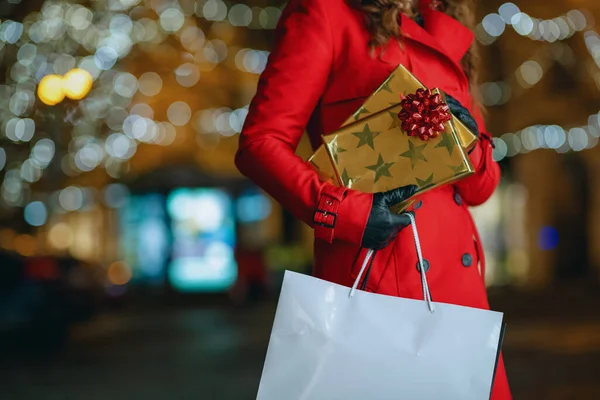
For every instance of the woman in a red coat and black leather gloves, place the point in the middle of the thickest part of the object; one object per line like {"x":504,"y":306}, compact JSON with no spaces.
{"x":329,"y":56}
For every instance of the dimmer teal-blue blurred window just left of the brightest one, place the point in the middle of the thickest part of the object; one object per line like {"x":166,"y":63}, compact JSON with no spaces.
{"x":145,"y":238}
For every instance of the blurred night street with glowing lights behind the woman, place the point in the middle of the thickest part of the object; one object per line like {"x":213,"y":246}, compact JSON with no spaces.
{"x":135,"y":261}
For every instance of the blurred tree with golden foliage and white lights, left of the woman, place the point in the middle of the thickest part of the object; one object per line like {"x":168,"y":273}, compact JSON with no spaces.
{"x":172,"y":80}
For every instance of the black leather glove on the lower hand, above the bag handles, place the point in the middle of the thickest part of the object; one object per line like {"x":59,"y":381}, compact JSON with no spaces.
{"x":383,"y":225}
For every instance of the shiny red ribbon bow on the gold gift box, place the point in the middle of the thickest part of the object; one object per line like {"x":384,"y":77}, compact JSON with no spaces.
{"x":424,"y":114}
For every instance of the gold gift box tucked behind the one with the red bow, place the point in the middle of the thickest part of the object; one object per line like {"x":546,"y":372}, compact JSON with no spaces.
{"x":400,"y":81}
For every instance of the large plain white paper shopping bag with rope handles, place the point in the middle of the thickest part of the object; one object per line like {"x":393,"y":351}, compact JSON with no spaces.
{"x":331,"y":342}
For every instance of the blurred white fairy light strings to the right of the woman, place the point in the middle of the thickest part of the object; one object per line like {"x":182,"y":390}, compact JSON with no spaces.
{"x":554,"y":32}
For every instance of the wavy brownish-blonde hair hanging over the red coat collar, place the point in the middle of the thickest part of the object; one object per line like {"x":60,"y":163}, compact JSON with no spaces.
{"x":382,"y":22}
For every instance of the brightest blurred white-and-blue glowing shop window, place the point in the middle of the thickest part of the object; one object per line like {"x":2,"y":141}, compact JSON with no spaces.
{"x":204,"y":239}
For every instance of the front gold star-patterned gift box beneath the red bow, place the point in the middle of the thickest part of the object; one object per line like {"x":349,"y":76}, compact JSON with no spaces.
{"x":375,"y":155}
